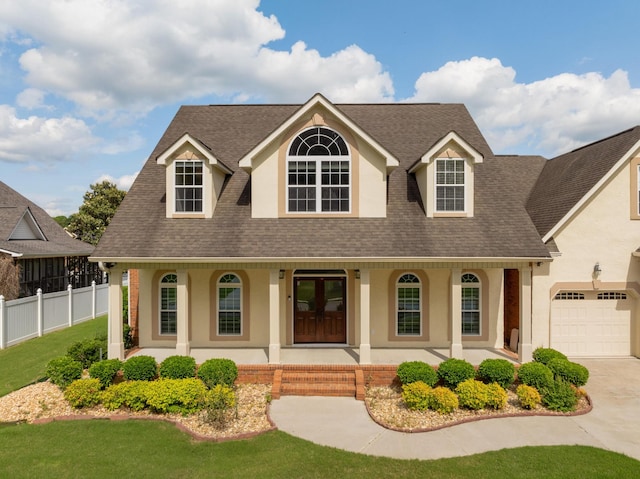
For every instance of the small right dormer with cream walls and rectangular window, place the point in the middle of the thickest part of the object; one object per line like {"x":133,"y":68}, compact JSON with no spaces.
{"x":445,"y":176}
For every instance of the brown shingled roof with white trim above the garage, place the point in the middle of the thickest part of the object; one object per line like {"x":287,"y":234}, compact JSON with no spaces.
{"x":569,"y":180}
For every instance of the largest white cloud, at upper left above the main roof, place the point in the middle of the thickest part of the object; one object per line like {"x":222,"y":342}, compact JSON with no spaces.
{"x":133,"y":55}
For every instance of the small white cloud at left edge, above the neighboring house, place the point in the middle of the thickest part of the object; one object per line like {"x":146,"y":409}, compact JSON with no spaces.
{"x":41,"y":140}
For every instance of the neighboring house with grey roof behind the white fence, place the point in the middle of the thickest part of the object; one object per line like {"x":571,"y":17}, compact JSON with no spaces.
{"x":48,"y":257}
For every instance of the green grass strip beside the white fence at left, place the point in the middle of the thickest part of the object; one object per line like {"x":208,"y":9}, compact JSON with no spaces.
{"x":24,"y":363}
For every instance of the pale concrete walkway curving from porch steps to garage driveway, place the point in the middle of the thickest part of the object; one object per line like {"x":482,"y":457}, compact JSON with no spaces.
{"x":613,"y":424}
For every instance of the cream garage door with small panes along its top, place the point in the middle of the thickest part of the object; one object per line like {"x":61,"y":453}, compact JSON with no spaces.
{"x":590,"y":324}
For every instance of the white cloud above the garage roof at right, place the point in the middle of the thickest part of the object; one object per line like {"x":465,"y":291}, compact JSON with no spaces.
{"x":551,"y":116}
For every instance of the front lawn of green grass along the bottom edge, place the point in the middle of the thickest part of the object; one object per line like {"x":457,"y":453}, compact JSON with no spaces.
{"x":153,"y":449}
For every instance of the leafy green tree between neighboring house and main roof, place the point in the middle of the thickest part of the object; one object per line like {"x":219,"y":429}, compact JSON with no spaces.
{"x":93,"y":217}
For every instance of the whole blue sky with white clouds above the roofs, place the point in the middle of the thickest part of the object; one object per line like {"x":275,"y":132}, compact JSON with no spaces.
{"x":87,"y":87}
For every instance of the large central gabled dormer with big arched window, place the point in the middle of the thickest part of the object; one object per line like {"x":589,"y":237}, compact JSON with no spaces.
{"x":318,"y":163}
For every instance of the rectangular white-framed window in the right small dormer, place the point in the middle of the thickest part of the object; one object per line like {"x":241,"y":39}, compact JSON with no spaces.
{"x":450,"y":184}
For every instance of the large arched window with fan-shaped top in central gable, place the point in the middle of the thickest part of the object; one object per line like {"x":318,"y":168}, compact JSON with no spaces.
{"x":318,"y":173}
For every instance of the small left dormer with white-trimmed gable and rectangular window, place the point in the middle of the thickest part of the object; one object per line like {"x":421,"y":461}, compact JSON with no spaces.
{"x":194,"y":178}
